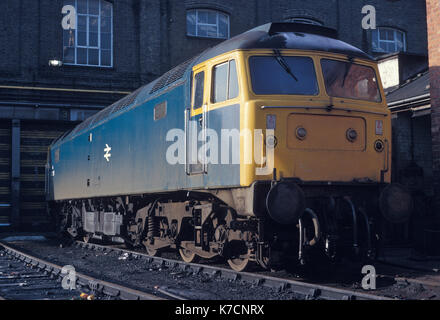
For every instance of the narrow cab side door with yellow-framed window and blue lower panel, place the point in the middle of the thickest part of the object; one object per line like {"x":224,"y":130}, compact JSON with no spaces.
{"x":195,"y":123}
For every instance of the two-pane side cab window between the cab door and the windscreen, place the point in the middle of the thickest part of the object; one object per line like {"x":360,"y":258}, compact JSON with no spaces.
{"x":224,"y":82}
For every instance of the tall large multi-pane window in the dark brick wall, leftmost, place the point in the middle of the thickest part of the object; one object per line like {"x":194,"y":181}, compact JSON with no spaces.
{"x":91,"y":43}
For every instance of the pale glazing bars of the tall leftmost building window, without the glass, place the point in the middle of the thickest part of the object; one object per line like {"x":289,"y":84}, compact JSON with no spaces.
{"x":87,"y":47}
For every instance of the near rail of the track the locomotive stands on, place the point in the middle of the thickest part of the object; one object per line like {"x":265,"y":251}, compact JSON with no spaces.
{"x":304,"y":289}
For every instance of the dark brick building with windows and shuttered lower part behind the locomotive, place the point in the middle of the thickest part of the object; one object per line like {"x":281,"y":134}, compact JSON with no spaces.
{"x":118,"y":45}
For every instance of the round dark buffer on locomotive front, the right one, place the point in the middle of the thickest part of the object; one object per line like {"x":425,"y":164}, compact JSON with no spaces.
{"x":396,"y":203}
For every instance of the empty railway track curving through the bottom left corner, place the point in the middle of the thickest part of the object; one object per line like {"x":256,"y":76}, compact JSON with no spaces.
{"x":24,"y":277}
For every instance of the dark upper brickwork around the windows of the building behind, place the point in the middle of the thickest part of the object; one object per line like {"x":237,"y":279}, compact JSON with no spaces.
{"x":150,"y":35}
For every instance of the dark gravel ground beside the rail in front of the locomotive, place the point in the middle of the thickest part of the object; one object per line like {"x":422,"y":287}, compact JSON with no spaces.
{"x":137,"y":273}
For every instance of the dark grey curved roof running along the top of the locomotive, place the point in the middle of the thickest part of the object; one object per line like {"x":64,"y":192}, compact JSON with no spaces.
{"x":269,"y":36}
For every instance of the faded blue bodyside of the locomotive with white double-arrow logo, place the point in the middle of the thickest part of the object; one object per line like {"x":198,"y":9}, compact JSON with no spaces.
{"x":84,"y":166}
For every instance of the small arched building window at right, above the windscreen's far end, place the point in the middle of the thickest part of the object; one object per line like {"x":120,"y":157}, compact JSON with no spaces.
{"x":388,"y":40}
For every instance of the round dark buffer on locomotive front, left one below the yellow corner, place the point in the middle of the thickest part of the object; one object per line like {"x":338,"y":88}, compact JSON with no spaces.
{"x":285,"y":202}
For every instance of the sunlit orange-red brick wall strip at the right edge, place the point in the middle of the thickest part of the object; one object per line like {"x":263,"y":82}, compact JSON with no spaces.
{"x":433,"y":14}
